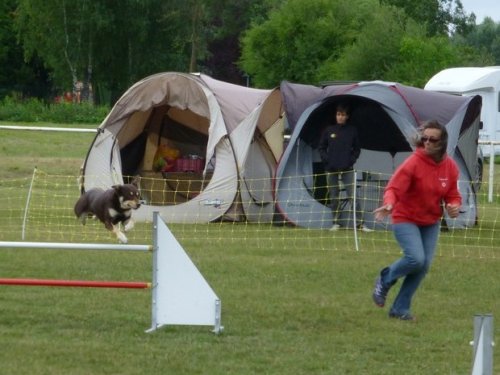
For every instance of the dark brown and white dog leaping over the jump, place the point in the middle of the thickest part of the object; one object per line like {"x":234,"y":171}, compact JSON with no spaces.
{"x":112,"y":207}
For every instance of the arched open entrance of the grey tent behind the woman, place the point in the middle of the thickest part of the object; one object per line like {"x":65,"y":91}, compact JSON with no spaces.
{"x":381,"y":140}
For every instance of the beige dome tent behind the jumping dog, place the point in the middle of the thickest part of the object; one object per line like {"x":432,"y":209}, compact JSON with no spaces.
{"x":229,"y":133}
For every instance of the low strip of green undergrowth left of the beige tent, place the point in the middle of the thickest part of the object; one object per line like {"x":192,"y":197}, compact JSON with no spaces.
{"x":35,"y":110}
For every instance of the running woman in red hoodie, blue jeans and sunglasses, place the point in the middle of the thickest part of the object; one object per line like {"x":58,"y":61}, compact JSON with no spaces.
{"x":414,"y":197}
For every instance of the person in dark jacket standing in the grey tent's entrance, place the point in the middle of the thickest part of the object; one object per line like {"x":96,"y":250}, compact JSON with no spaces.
{"x":339,"y":149}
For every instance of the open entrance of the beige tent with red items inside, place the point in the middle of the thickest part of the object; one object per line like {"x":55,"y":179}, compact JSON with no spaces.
{"x":169,"y":156}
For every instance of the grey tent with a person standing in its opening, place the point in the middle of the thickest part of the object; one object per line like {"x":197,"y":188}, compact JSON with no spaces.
{"x":387,"y":116}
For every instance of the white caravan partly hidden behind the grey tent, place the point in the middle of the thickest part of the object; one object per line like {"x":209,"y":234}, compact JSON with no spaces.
{"x":470,"y":81}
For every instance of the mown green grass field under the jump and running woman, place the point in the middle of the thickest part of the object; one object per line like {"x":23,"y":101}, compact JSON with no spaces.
{"x":299,"y":309}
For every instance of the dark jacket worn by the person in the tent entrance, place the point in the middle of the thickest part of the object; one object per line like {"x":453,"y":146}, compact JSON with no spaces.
{"x":339,"y":147}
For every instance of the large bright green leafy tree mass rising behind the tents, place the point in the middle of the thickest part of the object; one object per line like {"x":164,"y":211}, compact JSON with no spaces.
{"x":368,"y":42}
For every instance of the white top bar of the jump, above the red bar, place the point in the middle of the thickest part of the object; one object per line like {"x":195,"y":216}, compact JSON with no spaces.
{"x":73,"y":246}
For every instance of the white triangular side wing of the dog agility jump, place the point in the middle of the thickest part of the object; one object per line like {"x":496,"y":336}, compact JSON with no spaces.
{"x":180,"y":294}
